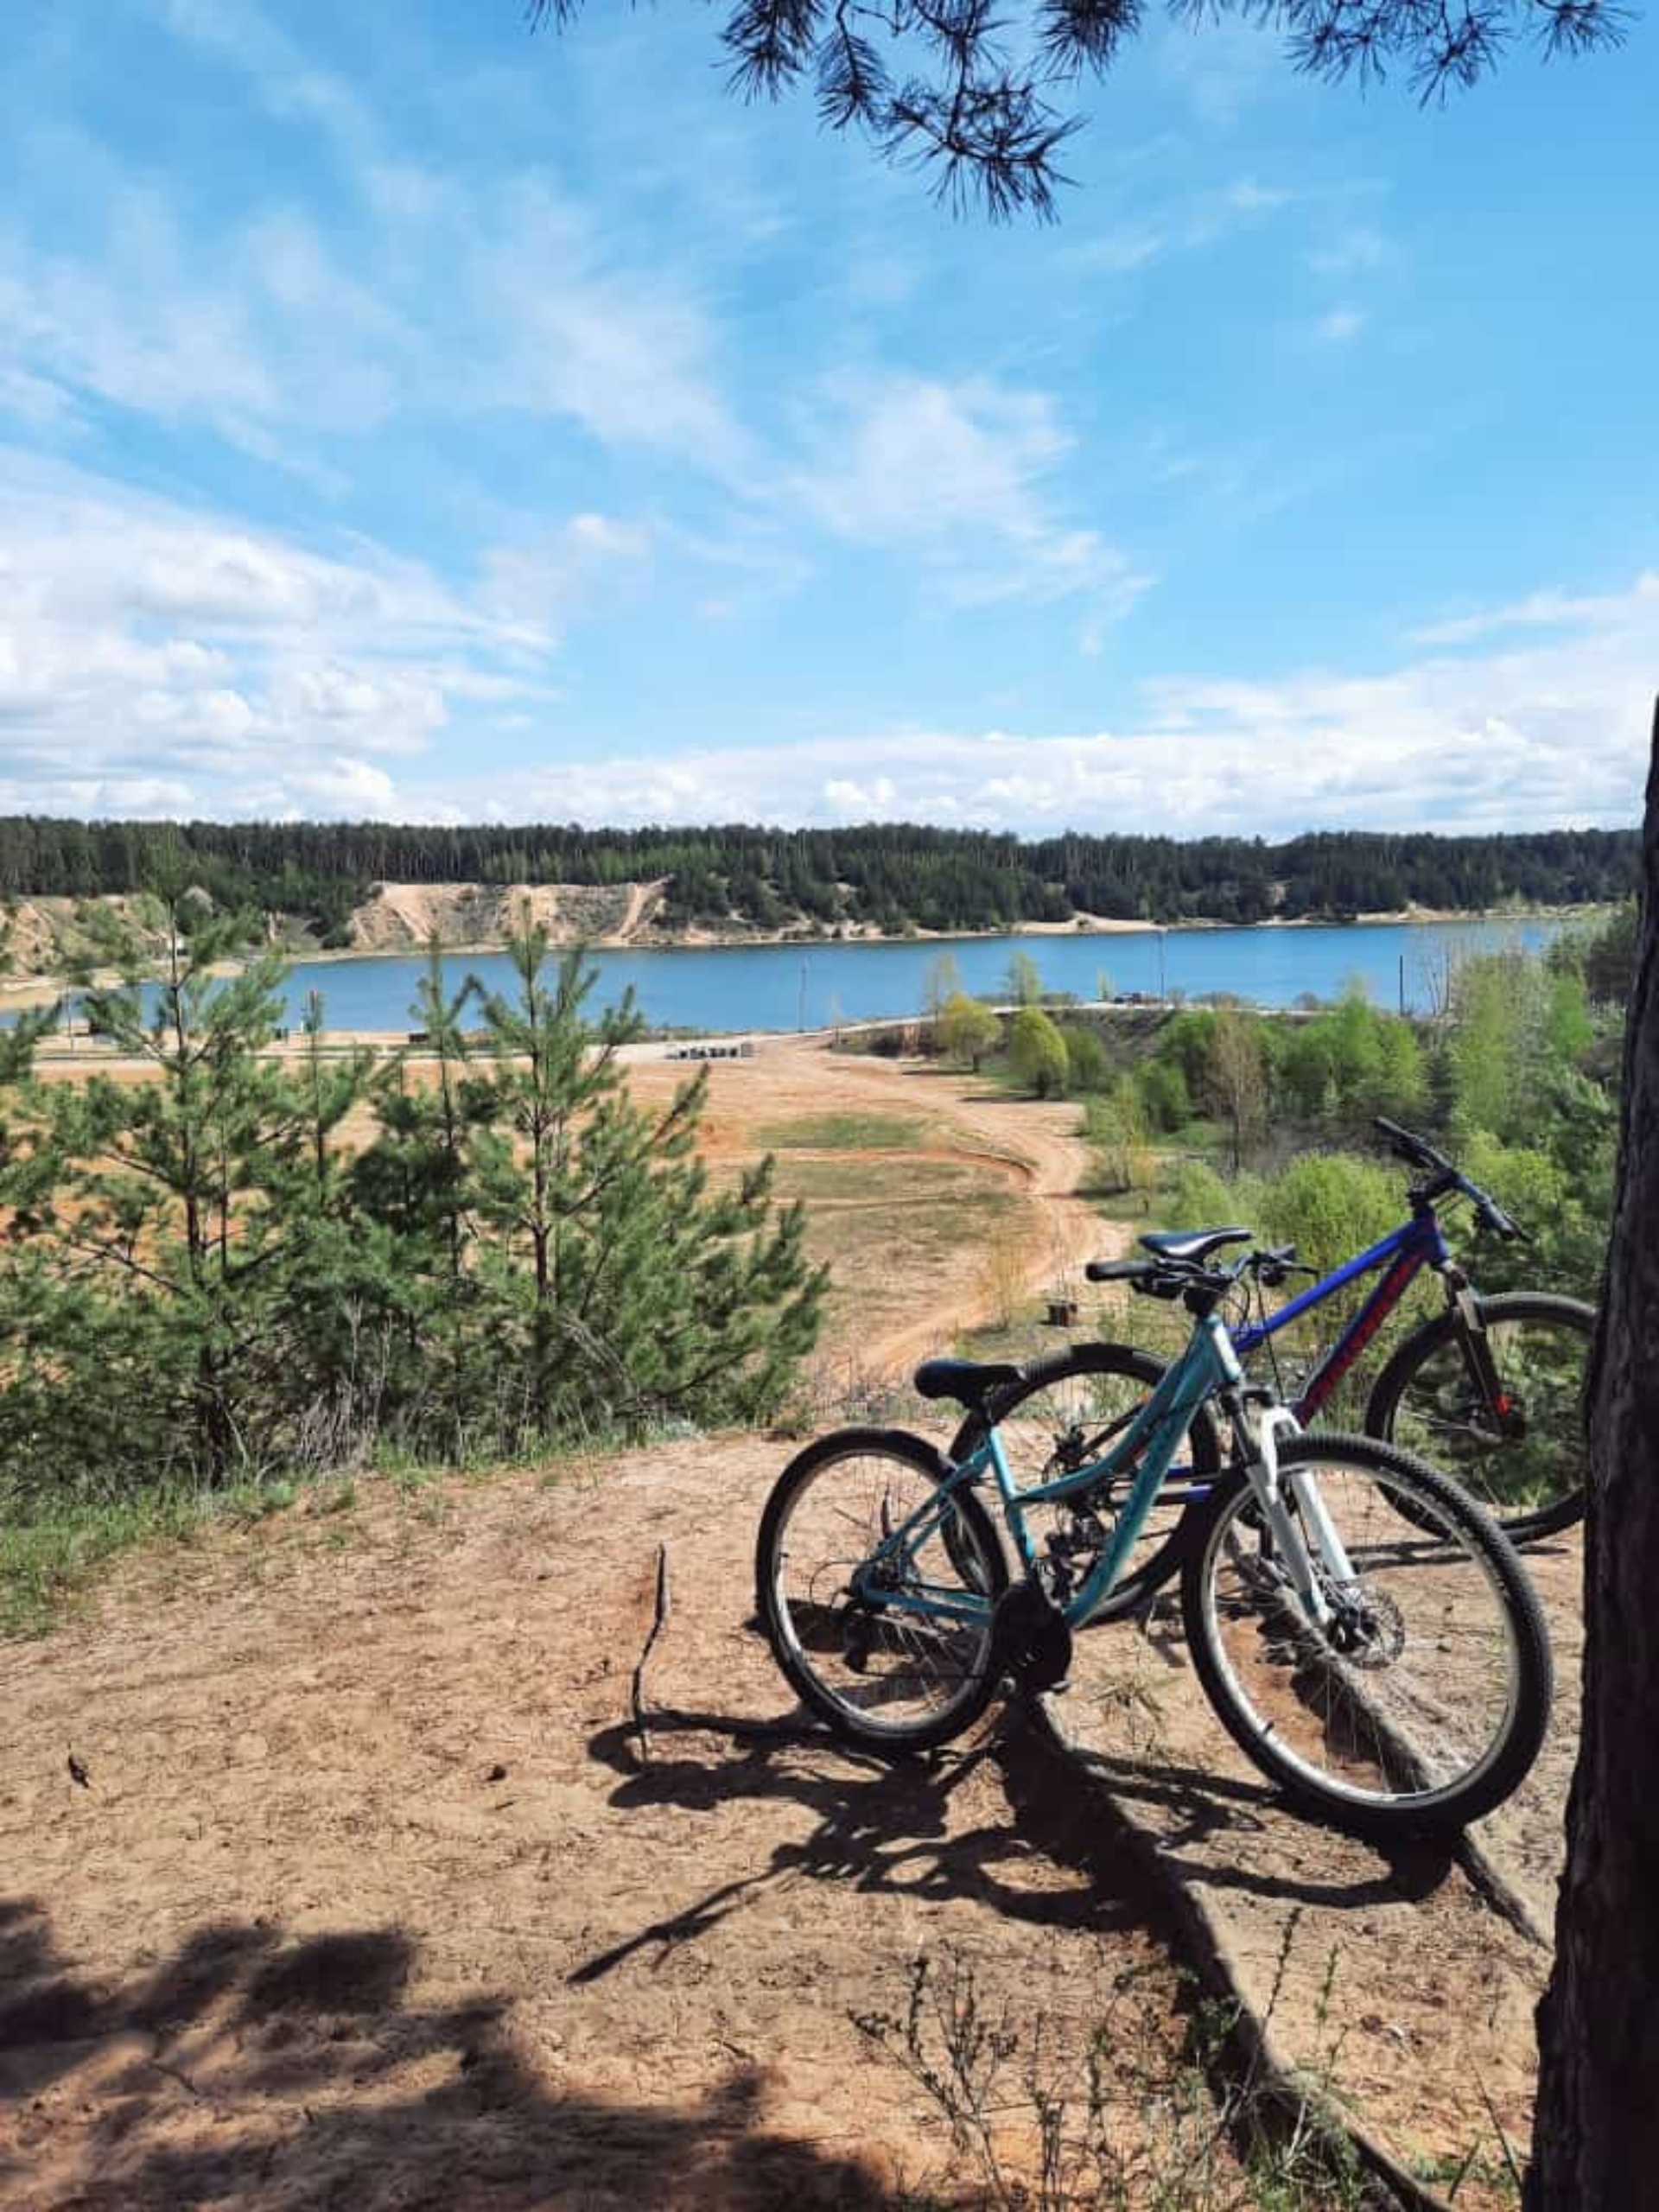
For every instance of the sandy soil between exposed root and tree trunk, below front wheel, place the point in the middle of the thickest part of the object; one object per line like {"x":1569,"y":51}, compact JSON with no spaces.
{"x":1404,"y":1981}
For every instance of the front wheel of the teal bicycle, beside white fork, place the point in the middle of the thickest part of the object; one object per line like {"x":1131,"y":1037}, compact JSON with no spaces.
{"x":1423,"y":1698}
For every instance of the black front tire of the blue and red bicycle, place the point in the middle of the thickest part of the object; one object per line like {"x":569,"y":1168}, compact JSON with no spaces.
{"x":1441,"y":1441}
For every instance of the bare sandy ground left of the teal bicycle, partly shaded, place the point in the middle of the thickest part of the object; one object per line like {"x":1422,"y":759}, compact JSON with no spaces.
{"x":373,"y":1897}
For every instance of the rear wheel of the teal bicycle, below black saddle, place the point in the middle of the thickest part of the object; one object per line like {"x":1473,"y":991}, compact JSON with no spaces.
{"x":864,"y":1649}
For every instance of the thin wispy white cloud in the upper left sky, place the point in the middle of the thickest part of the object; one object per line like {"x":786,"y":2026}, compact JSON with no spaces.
{"x":264,"y":326}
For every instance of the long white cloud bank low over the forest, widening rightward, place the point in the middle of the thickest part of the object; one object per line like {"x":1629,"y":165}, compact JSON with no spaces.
{"x":1516,"y":740}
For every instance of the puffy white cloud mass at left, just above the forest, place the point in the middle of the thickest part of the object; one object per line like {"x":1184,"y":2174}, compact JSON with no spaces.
{"x":154,"y":658}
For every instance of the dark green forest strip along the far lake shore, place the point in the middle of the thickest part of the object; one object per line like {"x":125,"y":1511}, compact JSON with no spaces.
{"x":890,"y":877}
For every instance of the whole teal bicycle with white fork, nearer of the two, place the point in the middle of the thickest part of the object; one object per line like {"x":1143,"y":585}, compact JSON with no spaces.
{"x":1359,"y":1625}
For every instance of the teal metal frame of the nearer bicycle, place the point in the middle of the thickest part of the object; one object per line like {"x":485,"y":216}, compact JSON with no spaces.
{"x":1204,"y":1368}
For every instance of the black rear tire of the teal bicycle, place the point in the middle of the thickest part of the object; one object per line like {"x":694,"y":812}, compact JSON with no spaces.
{"x":782,"y":1616}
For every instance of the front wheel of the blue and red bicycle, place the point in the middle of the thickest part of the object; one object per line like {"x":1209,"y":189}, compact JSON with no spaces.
{"x":1525,"y":1457}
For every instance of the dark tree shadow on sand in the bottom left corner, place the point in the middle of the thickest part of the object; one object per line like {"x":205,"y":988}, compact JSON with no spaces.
{"x":255,"y":2069}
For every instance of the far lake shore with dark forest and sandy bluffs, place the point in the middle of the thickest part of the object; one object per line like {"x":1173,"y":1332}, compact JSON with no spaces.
{"x":70,"y":890}
